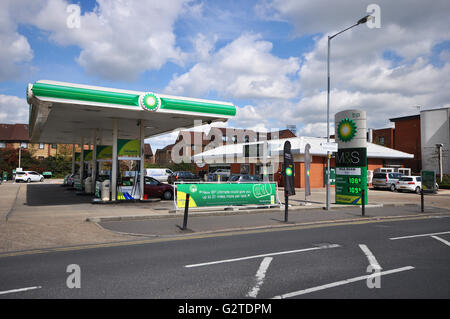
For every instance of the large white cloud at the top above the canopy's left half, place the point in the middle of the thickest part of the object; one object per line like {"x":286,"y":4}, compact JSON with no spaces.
{"x":118,"y":39}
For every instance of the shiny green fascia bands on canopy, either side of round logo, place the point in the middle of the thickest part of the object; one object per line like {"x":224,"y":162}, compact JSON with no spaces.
{"x":129,"y":99}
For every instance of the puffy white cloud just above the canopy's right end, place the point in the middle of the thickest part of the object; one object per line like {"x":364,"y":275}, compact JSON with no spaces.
{"x":244,"y":68}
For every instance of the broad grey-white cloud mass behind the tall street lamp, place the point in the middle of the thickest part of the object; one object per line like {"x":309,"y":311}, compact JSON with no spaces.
{"x":361,"y":77}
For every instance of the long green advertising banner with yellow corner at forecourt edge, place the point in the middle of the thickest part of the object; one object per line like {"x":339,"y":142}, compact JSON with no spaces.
{"x":214,"y":194}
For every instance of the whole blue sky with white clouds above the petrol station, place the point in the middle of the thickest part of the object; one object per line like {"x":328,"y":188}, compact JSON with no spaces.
{"x":268,"y":57}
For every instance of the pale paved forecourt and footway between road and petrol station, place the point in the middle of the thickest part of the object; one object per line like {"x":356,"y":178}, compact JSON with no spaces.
{"x":44,"y":215}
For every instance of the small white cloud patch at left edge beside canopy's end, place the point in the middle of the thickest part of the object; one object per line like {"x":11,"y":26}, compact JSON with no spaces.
{"x":13,"y":109}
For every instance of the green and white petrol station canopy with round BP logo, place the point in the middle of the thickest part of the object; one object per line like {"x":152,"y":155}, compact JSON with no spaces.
{"x":64,"y":112}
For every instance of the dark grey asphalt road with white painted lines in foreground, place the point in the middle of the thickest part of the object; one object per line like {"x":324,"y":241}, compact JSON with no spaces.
{"x":411,"y":257}
